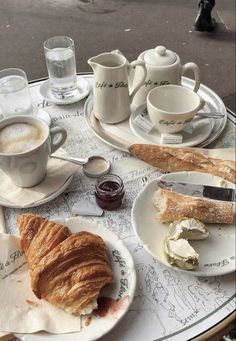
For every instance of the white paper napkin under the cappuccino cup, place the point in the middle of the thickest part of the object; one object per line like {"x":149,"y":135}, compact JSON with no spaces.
{"x":58,"y":171}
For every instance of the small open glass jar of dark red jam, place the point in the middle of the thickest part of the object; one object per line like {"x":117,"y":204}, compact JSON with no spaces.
{"x":109,"y":191}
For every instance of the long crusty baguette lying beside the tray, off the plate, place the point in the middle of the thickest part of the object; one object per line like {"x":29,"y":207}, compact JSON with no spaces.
{"x":179,"y":159}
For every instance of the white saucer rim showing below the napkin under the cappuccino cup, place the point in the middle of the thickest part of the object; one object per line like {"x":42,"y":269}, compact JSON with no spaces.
{"x":6,"y":203}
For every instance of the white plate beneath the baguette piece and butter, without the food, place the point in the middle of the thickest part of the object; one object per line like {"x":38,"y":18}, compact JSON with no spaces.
{"x":217,"y":252}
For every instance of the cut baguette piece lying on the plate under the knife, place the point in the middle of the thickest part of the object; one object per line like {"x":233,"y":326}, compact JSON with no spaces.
{"x":172,"y":206}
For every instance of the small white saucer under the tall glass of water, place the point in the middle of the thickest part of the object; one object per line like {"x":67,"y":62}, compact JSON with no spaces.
{"x":83,"y":91}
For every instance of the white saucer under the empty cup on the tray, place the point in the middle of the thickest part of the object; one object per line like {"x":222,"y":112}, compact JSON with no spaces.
{"x":201,"y":129}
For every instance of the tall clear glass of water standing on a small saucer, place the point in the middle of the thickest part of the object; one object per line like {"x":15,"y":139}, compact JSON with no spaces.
{"x":60,"y":59}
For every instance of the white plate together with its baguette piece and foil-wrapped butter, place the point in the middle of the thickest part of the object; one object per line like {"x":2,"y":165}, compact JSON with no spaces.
{"x":192,"y":234}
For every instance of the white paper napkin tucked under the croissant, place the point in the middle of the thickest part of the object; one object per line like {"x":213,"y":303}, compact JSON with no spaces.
{"x":20,"y":310}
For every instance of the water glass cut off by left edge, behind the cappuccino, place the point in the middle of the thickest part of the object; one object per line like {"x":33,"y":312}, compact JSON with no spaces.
{"x":14,"y":93}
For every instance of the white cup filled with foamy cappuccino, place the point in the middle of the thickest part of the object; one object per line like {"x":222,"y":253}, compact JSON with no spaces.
{"x":26,"y":143}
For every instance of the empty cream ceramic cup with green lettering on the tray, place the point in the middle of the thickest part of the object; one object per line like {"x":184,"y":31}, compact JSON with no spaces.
{"x":172,"y":107}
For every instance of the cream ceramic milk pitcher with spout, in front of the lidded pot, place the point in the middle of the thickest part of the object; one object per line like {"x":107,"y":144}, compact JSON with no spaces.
{"x":113,"y":83}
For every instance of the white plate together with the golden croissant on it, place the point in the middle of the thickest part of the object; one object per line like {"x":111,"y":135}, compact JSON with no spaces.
{"x":80,"y":267}
